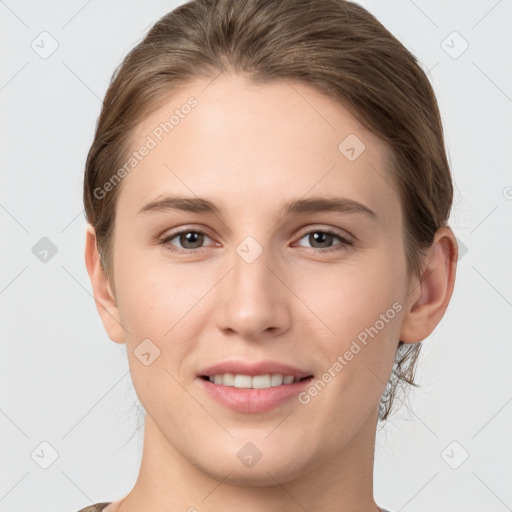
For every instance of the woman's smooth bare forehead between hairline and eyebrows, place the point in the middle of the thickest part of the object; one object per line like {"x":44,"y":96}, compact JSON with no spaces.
{"x":236,"y":141}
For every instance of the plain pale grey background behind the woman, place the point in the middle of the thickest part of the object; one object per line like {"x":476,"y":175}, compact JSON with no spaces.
{"x":63,"y":382}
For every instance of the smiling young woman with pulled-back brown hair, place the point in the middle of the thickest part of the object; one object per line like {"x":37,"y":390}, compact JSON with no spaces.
{"x":268,"y":195}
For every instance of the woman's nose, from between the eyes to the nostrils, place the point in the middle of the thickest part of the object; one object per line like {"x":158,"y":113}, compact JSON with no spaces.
{"x":252,"y":301}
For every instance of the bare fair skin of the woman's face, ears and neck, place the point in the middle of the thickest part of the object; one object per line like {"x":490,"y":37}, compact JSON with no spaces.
{"x":250,"y":149}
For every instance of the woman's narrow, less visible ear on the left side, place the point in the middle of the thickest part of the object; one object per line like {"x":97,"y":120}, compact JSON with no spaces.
{"x":105,"y":300}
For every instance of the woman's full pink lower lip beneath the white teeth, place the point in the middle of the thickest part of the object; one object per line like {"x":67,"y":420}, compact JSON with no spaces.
{"x":253,"y":400}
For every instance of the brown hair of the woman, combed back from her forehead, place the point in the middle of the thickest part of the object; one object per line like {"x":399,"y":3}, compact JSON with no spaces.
{"x":335,"y":46}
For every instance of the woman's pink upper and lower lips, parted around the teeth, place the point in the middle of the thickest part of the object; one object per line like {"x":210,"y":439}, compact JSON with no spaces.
{"x":253,"y":401}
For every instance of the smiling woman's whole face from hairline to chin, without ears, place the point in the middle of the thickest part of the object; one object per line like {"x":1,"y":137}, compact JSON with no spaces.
{"x":288,"y":259}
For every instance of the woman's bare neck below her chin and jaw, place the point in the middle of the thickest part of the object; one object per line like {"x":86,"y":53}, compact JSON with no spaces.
{"x":343,"y":481}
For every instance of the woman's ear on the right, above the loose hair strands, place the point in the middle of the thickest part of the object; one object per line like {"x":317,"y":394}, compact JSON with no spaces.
{"x":430,"y":294}
